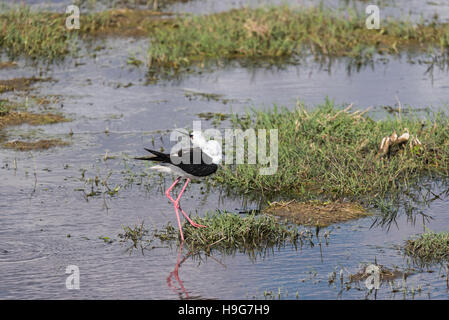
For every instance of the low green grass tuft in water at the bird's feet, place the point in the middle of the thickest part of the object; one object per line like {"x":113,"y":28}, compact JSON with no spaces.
{"x":228,"y":232}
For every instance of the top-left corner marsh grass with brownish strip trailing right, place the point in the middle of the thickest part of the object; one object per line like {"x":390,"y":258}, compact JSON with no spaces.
{"x":44,"y":34}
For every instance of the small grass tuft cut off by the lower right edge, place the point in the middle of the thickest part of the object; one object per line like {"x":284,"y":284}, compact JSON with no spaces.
{"x":430,"y":247}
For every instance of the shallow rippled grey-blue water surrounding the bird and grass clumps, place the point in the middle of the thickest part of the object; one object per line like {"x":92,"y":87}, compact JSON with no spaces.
{"x":47,"y":224}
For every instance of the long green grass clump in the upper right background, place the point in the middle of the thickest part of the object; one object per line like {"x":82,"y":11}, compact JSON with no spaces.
{"x":283,"y":32}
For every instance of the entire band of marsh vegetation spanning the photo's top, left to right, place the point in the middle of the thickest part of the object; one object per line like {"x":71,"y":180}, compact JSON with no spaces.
{"x":272,"y":34}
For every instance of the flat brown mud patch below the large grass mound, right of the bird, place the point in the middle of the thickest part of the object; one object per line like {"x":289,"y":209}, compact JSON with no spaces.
{"x":317,"y":213}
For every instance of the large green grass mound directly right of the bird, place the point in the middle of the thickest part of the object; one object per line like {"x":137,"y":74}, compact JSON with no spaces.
{"x":333,"y":153}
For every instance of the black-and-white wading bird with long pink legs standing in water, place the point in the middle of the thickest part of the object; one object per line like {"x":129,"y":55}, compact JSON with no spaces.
{"x":199,"y":161}
